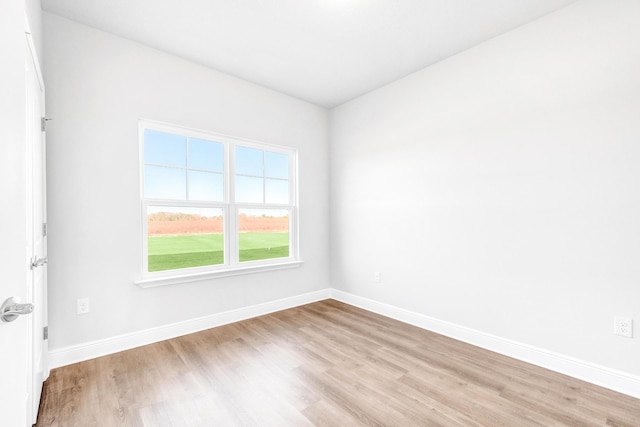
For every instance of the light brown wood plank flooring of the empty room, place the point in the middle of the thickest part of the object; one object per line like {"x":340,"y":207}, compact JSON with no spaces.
{"x":322,"y":364}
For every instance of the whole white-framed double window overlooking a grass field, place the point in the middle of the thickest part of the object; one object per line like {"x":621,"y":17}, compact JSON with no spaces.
{"x":214,"y":204}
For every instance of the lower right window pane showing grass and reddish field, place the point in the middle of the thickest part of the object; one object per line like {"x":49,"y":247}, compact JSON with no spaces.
{"x":264,"y":234}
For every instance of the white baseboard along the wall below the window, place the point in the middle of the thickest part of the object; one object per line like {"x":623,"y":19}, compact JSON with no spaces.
{"x":90,"y":350}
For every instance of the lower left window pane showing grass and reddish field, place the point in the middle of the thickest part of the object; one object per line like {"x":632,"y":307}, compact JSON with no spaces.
{"x":184,"y":237}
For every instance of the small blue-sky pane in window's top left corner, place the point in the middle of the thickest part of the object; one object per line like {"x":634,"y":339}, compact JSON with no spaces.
{"x":165,"y":148}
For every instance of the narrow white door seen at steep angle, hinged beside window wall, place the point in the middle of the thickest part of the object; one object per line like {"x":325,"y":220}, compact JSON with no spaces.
{"x":36,"y":199}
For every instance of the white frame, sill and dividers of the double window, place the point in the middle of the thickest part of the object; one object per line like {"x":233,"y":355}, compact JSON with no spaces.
{"x":230,"y":209}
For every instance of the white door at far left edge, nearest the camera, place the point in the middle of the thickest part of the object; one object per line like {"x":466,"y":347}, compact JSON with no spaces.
{"x":15,"y":248}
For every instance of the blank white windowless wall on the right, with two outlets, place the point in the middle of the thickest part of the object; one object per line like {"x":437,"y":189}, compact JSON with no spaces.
{"x":500,"y":189}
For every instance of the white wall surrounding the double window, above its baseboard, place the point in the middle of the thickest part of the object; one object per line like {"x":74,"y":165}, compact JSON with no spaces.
{"x":98,"y":87}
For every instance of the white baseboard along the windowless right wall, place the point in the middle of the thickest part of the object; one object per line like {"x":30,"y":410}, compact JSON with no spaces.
{"x":602,"y":376}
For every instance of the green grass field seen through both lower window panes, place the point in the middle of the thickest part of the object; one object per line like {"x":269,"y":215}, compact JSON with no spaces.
{"x":197,"y":250}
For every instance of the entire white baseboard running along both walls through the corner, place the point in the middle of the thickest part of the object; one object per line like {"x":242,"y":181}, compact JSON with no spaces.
{"x":605,"y":377}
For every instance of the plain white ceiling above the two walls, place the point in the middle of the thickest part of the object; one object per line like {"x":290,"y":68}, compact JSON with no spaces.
{"x":322,"y":51}
